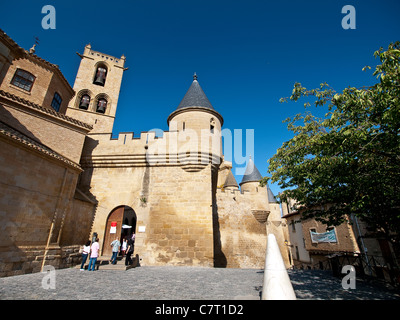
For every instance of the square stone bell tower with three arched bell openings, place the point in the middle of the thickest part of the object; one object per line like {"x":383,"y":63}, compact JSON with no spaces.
{"x":97,"y":87}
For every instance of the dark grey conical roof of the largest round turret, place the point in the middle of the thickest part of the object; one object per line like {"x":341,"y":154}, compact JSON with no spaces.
{"x":195,"y":99}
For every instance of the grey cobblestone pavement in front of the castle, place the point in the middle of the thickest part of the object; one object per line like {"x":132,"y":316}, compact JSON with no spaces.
{"x":181,"y":283}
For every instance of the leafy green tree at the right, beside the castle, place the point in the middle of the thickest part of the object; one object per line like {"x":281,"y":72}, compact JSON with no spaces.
{"x":348,"y":161}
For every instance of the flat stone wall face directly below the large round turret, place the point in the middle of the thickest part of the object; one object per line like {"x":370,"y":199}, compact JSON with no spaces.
{"x":180,"y":217}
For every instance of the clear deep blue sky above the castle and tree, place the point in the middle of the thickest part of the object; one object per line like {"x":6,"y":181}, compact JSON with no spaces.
{"x":247,"y":54}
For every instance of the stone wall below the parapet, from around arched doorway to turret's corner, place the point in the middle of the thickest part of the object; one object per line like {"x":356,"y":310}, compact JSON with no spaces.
{"x":174,"y":207}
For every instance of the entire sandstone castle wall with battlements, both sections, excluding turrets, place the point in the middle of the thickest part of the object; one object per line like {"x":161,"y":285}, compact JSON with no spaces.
{"x":178,"y":210}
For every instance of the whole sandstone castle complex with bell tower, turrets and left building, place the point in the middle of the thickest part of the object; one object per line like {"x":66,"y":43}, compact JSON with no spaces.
{"x":66,"y":179}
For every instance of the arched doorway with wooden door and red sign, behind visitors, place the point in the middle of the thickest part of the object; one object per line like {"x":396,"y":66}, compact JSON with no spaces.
{"x":121,"y":223}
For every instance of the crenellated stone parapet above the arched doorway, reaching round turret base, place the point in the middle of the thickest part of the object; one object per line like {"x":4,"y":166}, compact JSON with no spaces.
{"x":126,"y":150}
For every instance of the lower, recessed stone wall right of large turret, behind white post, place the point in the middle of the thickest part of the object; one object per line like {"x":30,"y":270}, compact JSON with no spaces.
{"x":245,"y":219}
